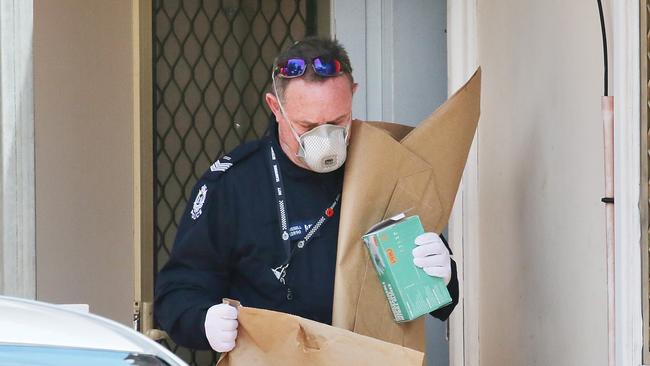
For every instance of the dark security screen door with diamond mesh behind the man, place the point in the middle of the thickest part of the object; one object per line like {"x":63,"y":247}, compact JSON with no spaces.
{"x":211,"y":67}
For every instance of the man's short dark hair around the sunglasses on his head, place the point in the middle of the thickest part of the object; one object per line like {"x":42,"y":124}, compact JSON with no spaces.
{"x":308,"y":49}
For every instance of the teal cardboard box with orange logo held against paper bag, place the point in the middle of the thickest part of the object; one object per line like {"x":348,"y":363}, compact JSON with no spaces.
{"x":410,"y":291}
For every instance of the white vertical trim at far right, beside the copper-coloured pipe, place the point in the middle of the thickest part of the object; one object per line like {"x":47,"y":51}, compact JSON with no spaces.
{"x":627,"y":138}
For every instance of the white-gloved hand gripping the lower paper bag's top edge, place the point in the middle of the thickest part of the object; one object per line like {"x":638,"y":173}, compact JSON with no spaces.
{"x":221,"y":327}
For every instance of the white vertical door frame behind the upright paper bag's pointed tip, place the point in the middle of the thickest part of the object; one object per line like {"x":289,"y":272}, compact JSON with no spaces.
{"x":462,"y":61}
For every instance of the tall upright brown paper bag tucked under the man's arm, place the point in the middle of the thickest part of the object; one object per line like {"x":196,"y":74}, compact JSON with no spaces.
{"x":391,"y":168}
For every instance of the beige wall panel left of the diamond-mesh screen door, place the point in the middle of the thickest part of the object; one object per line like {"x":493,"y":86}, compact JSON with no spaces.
{"x":84,"y":179}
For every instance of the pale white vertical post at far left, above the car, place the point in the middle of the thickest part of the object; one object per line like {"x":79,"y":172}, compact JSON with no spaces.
{"x":17,"y":207}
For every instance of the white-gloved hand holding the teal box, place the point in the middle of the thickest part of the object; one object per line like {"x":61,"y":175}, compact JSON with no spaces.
{"x":432,"y":255}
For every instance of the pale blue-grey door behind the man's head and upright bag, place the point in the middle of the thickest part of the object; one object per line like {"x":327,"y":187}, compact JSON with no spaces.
{"x":402,"y":49}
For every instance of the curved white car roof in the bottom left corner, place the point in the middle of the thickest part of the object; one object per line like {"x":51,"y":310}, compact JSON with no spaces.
{"x":38,"y":323}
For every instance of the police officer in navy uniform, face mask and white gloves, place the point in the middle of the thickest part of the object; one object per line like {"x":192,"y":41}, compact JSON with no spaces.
{"x":262,"y":225}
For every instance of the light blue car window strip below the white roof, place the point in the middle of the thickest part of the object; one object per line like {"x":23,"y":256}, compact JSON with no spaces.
{"x":24,"y":355}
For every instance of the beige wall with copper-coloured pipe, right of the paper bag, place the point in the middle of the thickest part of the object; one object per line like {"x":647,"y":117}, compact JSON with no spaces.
{"x":543,"y":297}
